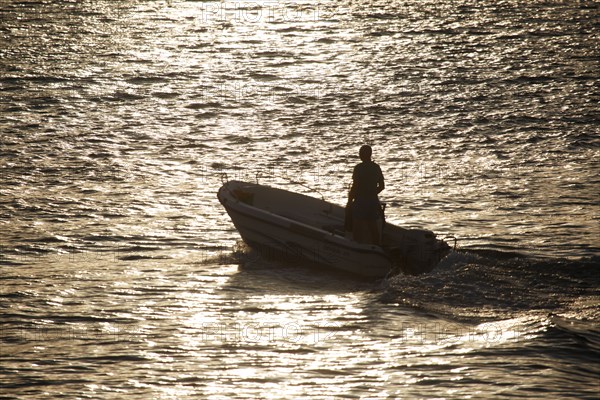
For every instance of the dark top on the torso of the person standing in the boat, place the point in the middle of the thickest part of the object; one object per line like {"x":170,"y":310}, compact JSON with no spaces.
{"x":367,"y":178}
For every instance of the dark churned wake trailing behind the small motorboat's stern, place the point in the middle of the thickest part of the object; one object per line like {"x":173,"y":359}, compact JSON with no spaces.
{"x":480,"y":285}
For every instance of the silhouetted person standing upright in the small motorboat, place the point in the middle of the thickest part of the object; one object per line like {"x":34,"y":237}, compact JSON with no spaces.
{"x":367,"y":183}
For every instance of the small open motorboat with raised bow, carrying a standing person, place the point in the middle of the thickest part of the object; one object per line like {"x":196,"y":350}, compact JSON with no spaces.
{"x":284,"y":223}
